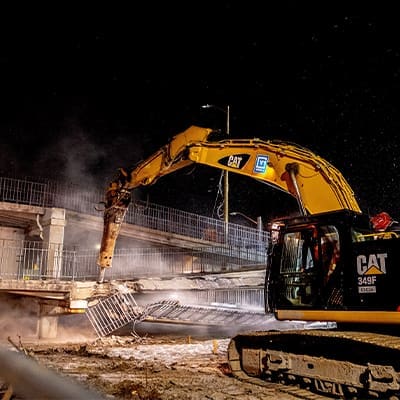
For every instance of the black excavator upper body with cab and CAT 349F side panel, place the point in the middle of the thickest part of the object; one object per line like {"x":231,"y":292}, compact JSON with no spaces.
{"x":333,"y":267}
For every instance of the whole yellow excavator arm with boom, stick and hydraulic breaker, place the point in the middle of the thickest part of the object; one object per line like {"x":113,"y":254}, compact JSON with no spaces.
{"x":315,"y":183}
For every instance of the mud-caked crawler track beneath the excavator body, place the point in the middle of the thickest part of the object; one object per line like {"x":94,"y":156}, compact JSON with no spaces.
{"x":335,"y":364}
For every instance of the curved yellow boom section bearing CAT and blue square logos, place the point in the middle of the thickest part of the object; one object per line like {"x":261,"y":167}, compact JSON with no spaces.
{"x":316,"y":184}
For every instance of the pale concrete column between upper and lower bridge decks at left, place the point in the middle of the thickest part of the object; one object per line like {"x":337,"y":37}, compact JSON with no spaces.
{"x":53,"y":224}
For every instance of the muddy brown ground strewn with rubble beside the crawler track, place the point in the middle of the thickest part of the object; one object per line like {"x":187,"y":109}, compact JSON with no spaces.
{"x":158,"y":367}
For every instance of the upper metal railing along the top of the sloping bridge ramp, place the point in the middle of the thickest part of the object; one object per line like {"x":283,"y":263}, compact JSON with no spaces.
{"x":153,"y":216}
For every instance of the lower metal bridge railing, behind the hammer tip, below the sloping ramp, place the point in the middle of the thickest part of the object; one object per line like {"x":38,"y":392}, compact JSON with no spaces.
{"x":34,"y":260}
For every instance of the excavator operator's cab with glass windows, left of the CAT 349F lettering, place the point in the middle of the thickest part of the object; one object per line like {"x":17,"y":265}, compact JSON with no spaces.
{"x":309,"y":258}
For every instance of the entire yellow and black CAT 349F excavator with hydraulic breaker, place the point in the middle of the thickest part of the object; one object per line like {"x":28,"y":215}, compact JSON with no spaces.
{"x":331,"y":262}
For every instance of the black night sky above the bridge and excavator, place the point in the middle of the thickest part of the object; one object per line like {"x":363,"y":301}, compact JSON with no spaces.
{"x":86,"y":91}
